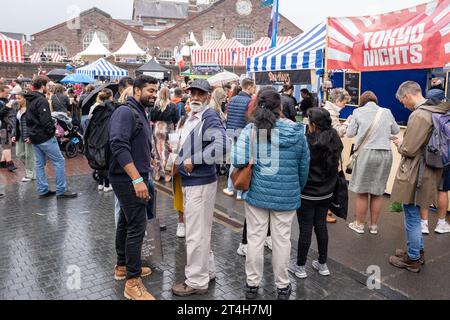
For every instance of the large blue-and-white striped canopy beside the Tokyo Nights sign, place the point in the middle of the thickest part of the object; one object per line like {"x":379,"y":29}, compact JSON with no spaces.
{"x":304,"y":52}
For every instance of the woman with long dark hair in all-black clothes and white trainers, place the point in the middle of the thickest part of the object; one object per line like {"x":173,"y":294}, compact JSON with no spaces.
{"x":325,"y":147}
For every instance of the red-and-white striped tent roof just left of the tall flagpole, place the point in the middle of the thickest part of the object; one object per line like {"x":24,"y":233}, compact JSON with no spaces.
{"x":222,"y":52}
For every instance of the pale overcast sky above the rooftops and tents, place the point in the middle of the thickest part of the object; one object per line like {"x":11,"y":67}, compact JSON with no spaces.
{"x":33,"y":16}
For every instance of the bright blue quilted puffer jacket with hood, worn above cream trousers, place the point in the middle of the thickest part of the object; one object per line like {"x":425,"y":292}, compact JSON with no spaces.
{"x":280,"y":174}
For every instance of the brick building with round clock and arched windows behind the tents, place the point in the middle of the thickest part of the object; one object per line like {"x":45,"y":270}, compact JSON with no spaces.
{"x":160,"y":26}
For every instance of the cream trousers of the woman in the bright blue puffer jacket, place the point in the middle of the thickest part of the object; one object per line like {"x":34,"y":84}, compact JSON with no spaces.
{"x":280,"y":228}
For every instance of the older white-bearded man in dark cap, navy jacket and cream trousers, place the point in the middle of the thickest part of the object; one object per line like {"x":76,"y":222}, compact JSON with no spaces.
{"x":203,"y":141}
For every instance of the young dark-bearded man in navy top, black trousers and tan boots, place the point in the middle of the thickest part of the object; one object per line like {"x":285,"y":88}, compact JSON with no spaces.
{"x":129,"y":175}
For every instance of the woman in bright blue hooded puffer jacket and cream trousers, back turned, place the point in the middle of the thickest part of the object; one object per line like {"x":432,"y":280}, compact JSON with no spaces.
{"x":280,"y":173}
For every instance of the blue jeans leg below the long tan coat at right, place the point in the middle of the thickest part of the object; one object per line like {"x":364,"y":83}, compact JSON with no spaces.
{"x":413,"y":228}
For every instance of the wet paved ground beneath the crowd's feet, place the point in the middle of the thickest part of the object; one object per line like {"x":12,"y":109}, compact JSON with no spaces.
{"x":44,"y":242}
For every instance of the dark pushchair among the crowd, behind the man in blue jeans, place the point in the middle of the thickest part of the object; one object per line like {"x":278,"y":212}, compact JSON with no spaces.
{"x":69,"y":139}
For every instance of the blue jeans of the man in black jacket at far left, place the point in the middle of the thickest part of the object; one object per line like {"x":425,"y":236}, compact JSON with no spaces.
{"x":50,"y":150}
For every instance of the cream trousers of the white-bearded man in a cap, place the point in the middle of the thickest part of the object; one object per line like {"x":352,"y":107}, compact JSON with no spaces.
{"x":199,"y":204}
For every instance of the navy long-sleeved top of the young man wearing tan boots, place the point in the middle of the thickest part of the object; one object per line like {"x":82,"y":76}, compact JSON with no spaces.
{"x":124,"y":148}
